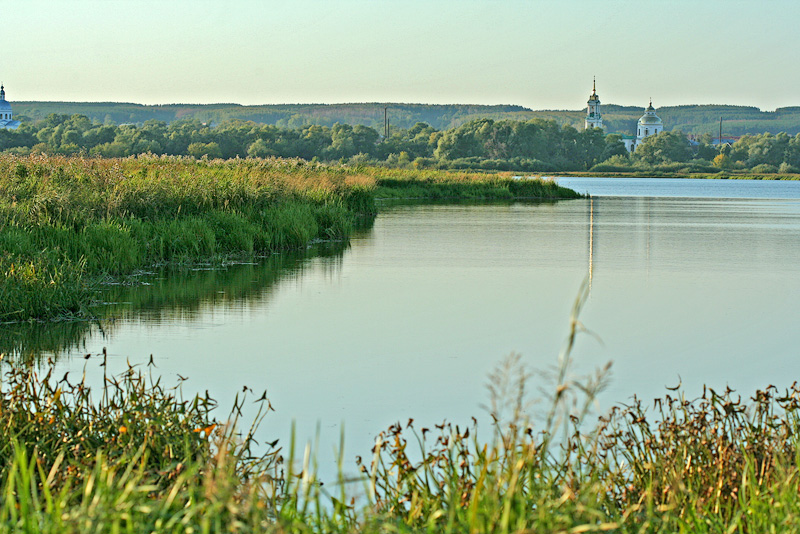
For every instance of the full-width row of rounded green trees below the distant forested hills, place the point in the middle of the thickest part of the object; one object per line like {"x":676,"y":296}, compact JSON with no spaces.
{"x":536,"y":145}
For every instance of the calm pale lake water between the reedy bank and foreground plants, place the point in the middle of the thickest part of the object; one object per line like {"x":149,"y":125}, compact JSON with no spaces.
{"x":691,"y":280}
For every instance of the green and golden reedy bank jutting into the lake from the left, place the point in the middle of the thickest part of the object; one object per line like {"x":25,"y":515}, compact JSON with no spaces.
{"x":68,"y":223}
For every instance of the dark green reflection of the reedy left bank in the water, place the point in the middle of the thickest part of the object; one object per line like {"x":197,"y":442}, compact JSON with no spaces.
{"x":170,"y":295}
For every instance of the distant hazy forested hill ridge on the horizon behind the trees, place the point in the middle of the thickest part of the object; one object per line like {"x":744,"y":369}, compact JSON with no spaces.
{"x":691,"y":119}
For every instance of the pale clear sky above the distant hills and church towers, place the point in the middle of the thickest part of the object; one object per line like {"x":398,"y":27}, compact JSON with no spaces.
{"x":541,"y":54}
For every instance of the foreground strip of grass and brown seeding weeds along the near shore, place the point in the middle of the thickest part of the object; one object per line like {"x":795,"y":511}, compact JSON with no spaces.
{"x":137,"y":457}
